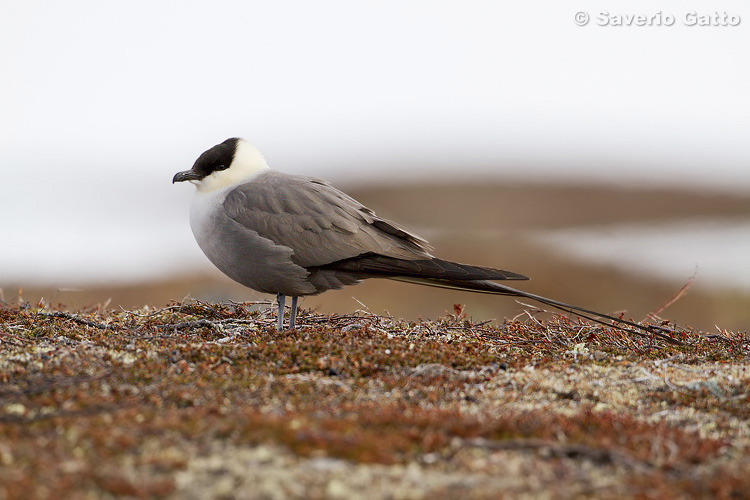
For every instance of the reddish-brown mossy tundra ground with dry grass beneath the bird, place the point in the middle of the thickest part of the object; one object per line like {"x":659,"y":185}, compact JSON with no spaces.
{"x":165,"y":403}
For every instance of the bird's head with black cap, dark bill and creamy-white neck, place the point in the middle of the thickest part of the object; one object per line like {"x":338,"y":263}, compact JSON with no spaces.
{"x":225,"y":164}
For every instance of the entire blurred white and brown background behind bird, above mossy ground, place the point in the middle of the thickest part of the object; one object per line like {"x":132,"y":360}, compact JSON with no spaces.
{"x":607,"y":161}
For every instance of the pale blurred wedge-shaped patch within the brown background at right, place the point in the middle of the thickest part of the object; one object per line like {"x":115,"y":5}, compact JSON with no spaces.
{"x":716,"y":250}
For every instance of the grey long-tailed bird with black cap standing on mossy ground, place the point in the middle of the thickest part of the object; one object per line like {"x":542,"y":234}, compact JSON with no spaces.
{"x":294,"y":236}
